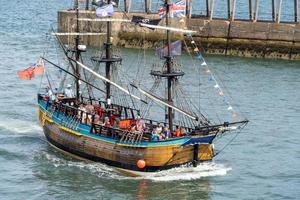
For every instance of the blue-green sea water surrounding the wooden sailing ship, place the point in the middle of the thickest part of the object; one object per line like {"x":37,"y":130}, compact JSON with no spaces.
{"x":261,"y":163}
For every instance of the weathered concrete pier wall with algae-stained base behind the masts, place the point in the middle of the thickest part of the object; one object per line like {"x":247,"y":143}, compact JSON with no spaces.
{"x":227,"y":37}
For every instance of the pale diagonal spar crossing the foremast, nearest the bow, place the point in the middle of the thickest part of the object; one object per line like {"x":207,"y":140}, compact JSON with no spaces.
{"x":162,"y":101}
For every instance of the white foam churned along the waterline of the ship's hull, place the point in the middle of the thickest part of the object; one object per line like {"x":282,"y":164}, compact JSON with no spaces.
{"x":208,"y":169}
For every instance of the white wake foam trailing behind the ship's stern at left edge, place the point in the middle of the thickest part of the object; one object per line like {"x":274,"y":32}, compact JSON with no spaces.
{"x":19,"y":126}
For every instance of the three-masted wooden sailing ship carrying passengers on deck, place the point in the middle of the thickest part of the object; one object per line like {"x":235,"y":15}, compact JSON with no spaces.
{"x":119,"y":135}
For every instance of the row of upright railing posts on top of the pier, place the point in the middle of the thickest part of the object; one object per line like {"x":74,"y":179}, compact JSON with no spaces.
{"x":251,"y":10}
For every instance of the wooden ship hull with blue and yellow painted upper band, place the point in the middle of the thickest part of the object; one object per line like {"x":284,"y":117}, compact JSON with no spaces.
{"x":79,"y":140}
